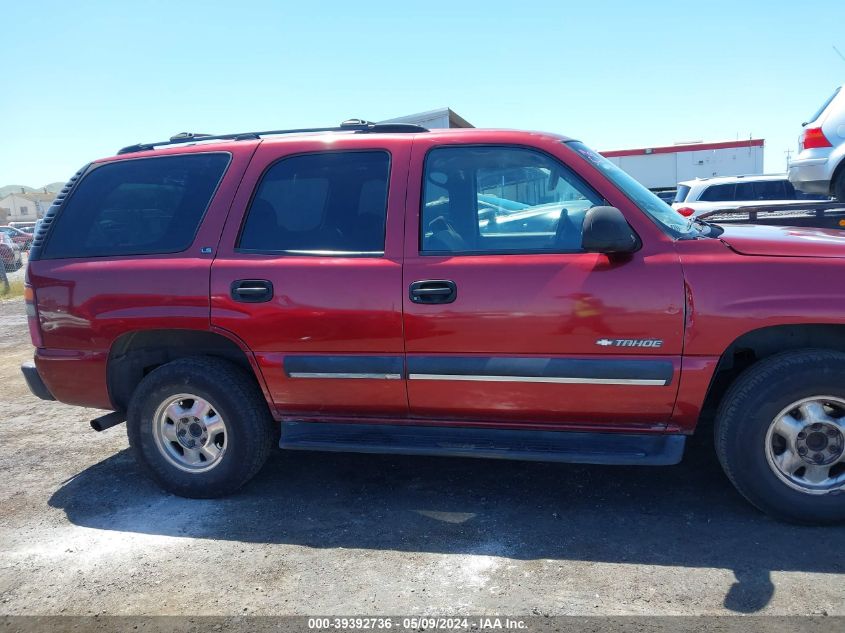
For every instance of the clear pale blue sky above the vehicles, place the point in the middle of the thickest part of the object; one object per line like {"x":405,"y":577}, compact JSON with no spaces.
{"x":82,"y":79}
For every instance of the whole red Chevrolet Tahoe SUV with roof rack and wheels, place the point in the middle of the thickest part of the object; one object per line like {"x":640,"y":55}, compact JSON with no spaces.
{"x":385,"y":288}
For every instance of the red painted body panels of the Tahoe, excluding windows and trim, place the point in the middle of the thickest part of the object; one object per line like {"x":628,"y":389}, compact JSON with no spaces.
{"x":697,"y":296}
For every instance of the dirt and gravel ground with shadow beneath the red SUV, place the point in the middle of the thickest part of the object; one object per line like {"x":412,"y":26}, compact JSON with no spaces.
{"x":82,"y":532}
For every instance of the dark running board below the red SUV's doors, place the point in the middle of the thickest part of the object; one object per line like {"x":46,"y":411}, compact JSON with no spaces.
{"x":540,"y":446}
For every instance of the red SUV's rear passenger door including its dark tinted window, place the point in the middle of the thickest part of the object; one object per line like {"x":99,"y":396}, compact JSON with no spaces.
{"x":310,"y":275}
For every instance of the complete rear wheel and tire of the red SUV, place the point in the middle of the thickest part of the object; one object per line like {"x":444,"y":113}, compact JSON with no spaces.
{"x":221,"y":391}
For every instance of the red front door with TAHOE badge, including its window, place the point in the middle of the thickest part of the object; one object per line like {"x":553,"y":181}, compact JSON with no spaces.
{"x":508,"y":321}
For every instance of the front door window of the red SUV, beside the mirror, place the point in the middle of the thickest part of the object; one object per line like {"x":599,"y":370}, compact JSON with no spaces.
{"x":501,"y":199}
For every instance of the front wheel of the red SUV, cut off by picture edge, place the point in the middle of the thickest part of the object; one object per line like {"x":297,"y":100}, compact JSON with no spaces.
{"x":748,"y":436}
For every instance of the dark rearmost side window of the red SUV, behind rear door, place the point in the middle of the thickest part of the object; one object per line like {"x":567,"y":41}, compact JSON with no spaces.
{"x":137,"y":207}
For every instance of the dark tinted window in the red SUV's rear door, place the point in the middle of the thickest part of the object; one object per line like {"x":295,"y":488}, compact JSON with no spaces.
{"x":331,"y":202}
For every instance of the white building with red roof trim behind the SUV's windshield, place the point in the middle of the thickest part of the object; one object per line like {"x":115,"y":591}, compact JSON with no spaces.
{"x":662,"y":168}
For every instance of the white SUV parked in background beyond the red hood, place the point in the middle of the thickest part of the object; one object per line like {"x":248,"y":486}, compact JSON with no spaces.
{"x":703,"y":195}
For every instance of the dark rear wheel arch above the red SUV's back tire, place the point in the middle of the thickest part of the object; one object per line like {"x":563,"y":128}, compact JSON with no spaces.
{"x":135,"y":354}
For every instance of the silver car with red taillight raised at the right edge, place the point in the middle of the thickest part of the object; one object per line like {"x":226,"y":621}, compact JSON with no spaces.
{"x":820,"y":164}
